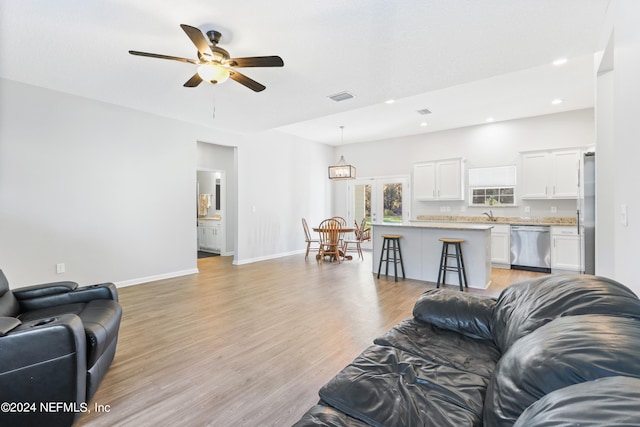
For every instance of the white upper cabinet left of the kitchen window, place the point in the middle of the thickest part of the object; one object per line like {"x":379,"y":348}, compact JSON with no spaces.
{"x":438,"y":180}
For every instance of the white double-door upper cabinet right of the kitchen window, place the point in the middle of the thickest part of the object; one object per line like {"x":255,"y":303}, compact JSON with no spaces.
{"x":550,"y":174}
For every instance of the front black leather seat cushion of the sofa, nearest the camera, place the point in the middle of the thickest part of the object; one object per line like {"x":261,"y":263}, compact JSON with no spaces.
{"x":385,"y":386}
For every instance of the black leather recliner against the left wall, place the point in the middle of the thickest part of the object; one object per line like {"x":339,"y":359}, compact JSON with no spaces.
{"x":57,"y":341}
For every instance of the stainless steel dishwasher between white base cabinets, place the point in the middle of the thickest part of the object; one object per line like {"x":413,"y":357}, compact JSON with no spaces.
{"x":530,"y":248}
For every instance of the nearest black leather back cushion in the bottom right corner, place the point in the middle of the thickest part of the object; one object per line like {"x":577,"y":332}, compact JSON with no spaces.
{"x":612,"y":401}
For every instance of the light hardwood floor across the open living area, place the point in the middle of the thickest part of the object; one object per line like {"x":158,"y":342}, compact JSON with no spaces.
{"x":247,"y":345}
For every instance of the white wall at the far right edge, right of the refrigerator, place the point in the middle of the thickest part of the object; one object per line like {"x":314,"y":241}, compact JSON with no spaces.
{"x":619,"y":129}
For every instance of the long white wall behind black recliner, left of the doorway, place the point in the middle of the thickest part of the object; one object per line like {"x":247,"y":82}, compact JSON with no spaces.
{"x":93,"y":186}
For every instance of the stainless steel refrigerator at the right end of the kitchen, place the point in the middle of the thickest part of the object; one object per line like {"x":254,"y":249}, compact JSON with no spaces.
{"x":587,"y":213}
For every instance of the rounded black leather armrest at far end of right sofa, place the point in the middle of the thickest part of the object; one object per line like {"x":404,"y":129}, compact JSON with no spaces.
{"x":461,"y":312}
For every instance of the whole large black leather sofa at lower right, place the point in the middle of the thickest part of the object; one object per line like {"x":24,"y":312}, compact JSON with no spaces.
{"x":554,"y":351}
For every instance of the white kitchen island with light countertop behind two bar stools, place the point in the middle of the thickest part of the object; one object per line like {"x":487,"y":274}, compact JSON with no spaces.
{"x":421,"y":249}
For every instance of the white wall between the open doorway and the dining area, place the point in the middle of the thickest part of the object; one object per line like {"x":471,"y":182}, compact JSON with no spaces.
{"x":285,"y":180}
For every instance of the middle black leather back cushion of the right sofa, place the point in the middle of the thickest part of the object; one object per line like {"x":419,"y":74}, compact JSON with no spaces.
{"x":566,"y":351}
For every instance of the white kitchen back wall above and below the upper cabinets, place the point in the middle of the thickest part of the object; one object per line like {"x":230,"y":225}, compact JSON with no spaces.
{"x":492,"y":144}
